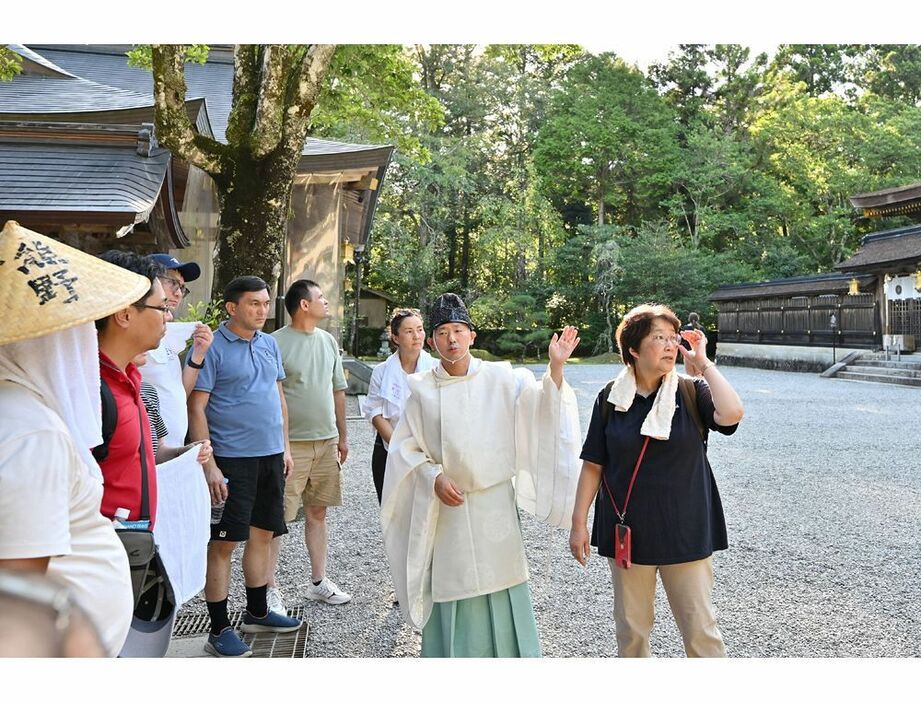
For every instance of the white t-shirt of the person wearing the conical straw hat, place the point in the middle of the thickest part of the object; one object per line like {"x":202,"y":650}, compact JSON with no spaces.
{"x":49,"y":506}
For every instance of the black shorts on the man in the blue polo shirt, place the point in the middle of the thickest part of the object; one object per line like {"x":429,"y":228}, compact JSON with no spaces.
{"x":255,"y":497}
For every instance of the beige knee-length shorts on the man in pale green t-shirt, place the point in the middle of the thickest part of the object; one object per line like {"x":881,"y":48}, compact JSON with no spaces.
{"x":314,"y":480}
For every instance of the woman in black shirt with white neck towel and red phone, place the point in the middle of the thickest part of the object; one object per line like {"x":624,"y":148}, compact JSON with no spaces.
{"x":658,"y":509}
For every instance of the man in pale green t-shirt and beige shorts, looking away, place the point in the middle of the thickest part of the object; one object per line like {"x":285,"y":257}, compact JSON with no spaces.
{"x":314,"y":388}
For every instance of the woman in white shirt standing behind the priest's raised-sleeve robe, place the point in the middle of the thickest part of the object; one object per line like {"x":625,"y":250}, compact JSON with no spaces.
{"x":388,"y":389}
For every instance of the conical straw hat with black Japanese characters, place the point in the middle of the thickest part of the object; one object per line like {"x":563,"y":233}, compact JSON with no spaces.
{"x":46,"y":286}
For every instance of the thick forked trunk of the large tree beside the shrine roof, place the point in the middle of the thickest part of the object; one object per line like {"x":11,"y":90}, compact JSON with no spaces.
{"x":274,"y":91}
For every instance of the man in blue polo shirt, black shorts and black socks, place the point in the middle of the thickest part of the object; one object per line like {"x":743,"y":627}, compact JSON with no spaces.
{"x":238,"y":404}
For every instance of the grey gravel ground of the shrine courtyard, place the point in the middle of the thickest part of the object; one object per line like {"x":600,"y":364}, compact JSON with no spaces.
{"x":822,"y":496}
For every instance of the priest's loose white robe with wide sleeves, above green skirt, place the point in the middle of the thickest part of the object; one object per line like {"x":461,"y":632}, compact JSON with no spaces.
{"x":499,"y":434}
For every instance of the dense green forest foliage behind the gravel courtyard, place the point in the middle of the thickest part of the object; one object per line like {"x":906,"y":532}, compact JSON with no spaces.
{"x":551,"y":186}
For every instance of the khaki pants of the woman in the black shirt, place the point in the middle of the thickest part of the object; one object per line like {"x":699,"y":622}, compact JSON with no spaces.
{"x":689,"y":587}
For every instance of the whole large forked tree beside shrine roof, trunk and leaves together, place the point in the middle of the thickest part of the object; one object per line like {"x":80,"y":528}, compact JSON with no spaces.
{"x":275,"y":92}
